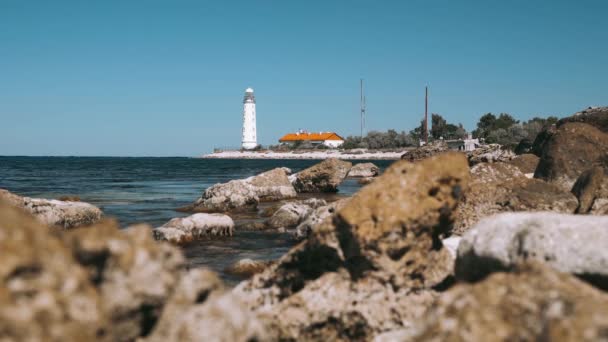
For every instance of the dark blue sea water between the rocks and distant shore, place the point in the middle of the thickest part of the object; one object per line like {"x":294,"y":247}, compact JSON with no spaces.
{"x":149,"y":190}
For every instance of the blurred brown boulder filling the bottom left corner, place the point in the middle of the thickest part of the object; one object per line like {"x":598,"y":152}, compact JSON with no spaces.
{"x":44,"y":294}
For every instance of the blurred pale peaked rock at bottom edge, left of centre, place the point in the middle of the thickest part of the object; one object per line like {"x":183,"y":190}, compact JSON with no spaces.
{"x":201,"y":310}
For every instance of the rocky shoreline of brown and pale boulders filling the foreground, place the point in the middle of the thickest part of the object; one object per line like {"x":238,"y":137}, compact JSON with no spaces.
{"x":442,"y":245}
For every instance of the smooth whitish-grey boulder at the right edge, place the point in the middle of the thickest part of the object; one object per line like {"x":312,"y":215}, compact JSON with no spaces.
{"x":568,"y":243}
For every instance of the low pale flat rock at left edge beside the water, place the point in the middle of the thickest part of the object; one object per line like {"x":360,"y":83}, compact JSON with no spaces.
{"x":65,"y":214}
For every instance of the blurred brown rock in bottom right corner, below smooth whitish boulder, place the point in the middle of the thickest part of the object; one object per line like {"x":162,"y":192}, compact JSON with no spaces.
{"x":535,"y":303}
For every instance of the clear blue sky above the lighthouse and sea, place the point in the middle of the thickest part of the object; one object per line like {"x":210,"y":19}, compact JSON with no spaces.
{"x":166,"y":78}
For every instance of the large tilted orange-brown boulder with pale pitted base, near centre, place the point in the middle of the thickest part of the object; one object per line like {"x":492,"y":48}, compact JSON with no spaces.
{"x":372,"y":268}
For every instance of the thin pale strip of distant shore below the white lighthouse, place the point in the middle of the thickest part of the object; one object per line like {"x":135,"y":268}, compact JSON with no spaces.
{"x":304,"y":155}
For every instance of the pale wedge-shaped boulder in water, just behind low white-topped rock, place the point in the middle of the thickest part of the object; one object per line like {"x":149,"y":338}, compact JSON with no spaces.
{"x":272,"y":185}
